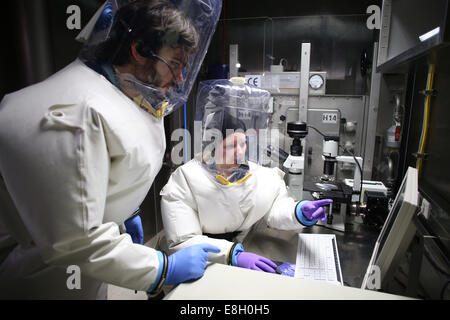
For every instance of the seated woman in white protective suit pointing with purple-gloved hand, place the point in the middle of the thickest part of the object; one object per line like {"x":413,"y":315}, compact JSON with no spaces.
{"x":219,"y":195}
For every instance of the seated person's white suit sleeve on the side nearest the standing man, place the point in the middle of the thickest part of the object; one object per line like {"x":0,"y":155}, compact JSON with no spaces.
{"x":181,"y":221}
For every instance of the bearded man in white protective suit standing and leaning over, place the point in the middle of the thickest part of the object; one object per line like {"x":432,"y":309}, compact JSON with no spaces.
{"x":80,"y":151}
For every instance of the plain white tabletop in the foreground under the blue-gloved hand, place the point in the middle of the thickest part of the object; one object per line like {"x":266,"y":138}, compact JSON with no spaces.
{"x":223,"y":282}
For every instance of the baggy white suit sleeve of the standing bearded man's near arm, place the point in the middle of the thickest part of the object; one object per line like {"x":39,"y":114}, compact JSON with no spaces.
{"x":58,"y":181}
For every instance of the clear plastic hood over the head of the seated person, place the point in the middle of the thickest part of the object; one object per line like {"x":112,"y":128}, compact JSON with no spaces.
{"x":234,"y":128}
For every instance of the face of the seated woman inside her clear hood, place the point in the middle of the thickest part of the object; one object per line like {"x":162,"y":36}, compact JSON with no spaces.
{"x":231,"y":152}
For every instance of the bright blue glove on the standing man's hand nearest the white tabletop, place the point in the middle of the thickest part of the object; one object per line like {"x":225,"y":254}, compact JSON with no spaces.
{"x":188,"y":263}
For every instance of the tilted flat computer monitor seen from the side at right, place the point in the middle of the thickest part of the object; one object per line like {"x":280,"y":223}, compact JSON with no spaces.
{"x":395,"y":236}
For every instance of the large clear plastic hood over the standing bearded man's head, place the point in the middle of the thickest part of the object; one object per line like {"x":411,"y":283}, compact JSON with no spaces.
{"x":151,"y":50}
